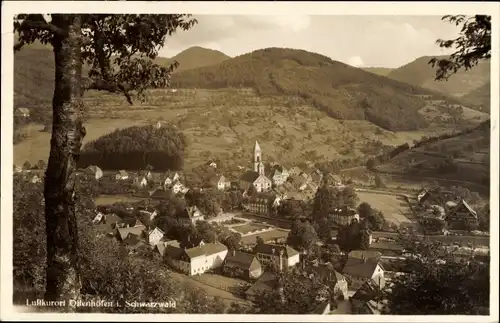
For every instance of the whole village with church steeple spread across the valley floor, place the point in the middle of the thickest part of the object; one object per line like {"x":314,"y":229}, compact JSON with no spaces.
{"x":247,"y":242}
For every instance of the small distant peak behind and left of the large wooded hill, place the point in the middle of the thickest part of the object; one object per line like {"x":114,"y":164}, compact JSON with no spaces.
{"x":195,"y":57}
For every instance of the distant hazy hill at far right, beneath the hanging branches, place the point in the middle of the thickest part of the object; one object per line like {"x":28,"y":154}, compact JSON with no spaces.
{"x":420,"y":73}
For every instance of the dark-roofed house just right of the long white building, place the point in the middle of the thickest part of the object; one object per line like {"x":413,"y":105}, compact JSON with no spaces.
{"x":242,"y":264}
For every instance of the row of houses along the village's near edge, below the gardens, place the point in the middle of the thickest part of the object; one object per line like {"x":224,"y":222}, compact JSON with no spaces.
{"x":259,"y":266}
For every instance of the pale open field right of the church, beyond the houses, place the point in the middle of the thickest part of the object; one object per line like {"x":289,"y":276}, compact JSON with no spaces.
{"x":395,"y":209}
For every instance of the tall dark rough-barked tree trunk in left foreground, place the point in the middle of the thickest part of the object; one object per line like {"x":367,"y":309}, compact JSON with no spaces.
{"x":63,"y":279}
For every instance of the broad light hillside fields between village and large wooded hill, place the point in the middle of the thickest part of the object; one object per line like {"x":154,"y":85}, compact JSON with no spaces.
{"x":225,"y":123}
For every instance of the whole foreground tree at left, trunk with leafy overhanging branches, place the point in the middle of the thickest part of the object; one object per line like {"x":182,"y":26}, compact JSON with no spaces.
{"x":119,"y":50}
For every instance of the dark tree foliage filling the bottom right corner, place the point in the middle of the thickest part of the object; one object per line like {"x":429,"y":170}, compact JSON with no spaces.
{"x":432,"y":286}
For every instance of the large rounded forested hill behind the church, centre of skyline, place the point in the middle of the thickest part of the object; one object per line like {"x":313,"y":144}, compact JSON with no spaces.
{"x":344,"y":92}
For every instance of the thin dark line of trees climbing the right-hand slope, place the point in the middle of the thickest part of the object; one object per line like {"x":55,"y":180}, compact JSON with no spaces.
{"x":385,"y":156}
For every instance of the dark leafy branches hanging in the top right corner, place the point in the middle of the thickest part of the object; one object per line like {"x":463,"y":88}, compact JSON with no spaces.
{"x":471,"y":46}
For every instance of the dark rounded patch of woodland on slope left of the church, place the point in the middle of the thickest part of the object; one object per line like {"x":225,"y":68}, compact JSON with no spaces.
{"x":136,"y":147}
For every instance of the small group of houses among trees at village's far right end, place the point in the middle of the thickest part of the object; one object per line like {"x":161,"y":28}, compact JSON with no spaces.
{"x":440,"y":204}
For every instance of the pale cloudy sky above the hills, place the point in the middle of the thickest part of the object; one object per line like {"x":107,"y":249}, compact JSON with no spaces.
{"x":362,"y":41}
